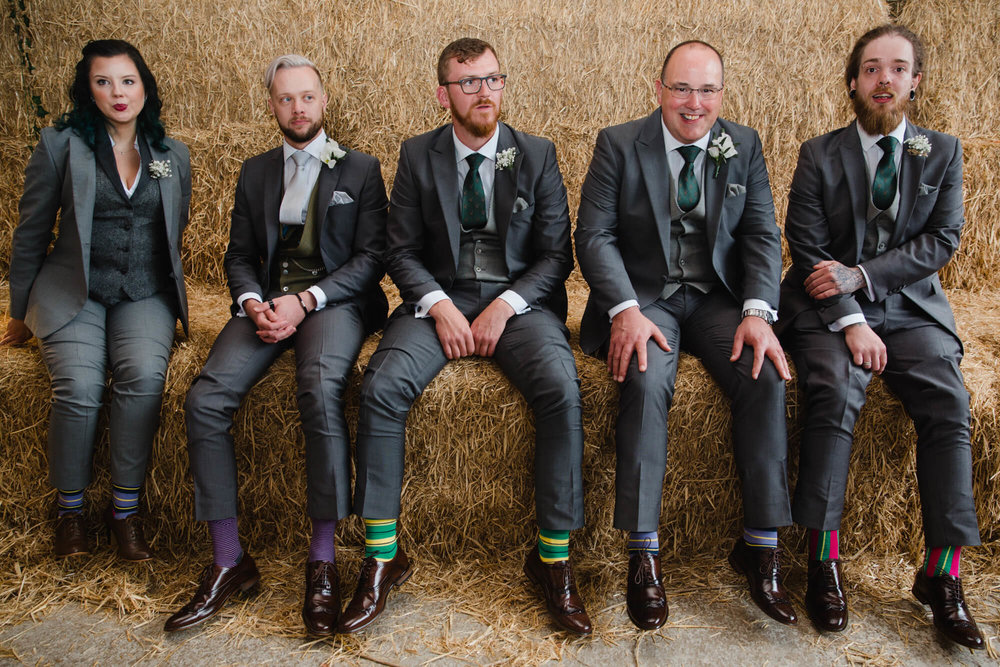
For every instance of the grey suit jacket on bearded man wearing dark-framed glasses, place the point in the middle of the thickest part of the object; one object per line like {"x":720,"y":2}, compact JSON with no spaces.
{"x":529,"y":204}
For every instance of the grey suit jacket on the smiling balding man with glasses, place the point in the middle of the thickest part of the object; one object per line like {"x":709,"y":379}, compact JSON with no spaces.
{"x":623,"y":227}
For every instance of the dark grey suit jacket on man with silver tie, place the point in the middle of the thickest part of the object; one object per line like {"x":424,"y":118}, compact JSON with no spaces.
{"x":352,"y":236}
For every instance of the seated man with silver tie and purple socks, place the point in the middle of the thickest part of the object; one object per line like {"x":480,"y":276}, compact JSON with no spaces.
{"x":303,"y":266}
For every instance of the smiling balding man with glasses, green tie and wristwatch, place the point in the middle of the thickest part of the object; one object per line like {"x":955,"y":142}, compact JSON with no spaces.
{"x":677,"y":238}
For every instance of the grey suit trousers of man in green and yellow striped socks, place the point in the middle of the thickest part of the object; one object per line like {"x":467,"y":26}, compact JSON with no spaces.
{"x":533,"y":352}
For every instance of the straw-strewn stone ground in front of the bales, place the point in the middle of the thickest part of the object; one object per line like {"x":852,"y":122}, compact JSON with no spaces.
{"x":700,"y":631}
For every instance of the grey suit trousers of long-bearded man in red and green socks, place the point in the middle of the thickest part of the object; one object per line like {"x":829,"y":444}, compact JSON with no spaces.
{"x":923,"y":372}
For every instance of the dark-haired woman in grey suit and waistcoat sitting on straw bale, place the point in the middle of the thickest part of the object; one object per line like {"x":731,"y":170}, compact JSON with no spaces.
{"x":108,"y":294}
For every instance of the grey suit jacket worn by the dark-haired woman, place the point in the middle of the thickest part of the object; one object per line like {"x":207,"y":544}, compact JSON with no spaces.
{"x":48,"y":290}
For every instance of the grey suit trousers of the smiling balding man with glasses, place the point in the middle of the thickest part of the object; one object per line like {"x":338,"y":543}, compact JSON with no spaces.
{"x":703,"y":325}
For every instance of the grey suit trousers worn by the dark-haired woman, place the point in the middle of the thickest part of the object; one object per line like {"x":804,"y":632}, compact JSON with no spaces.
{"x":132,"y":339}
